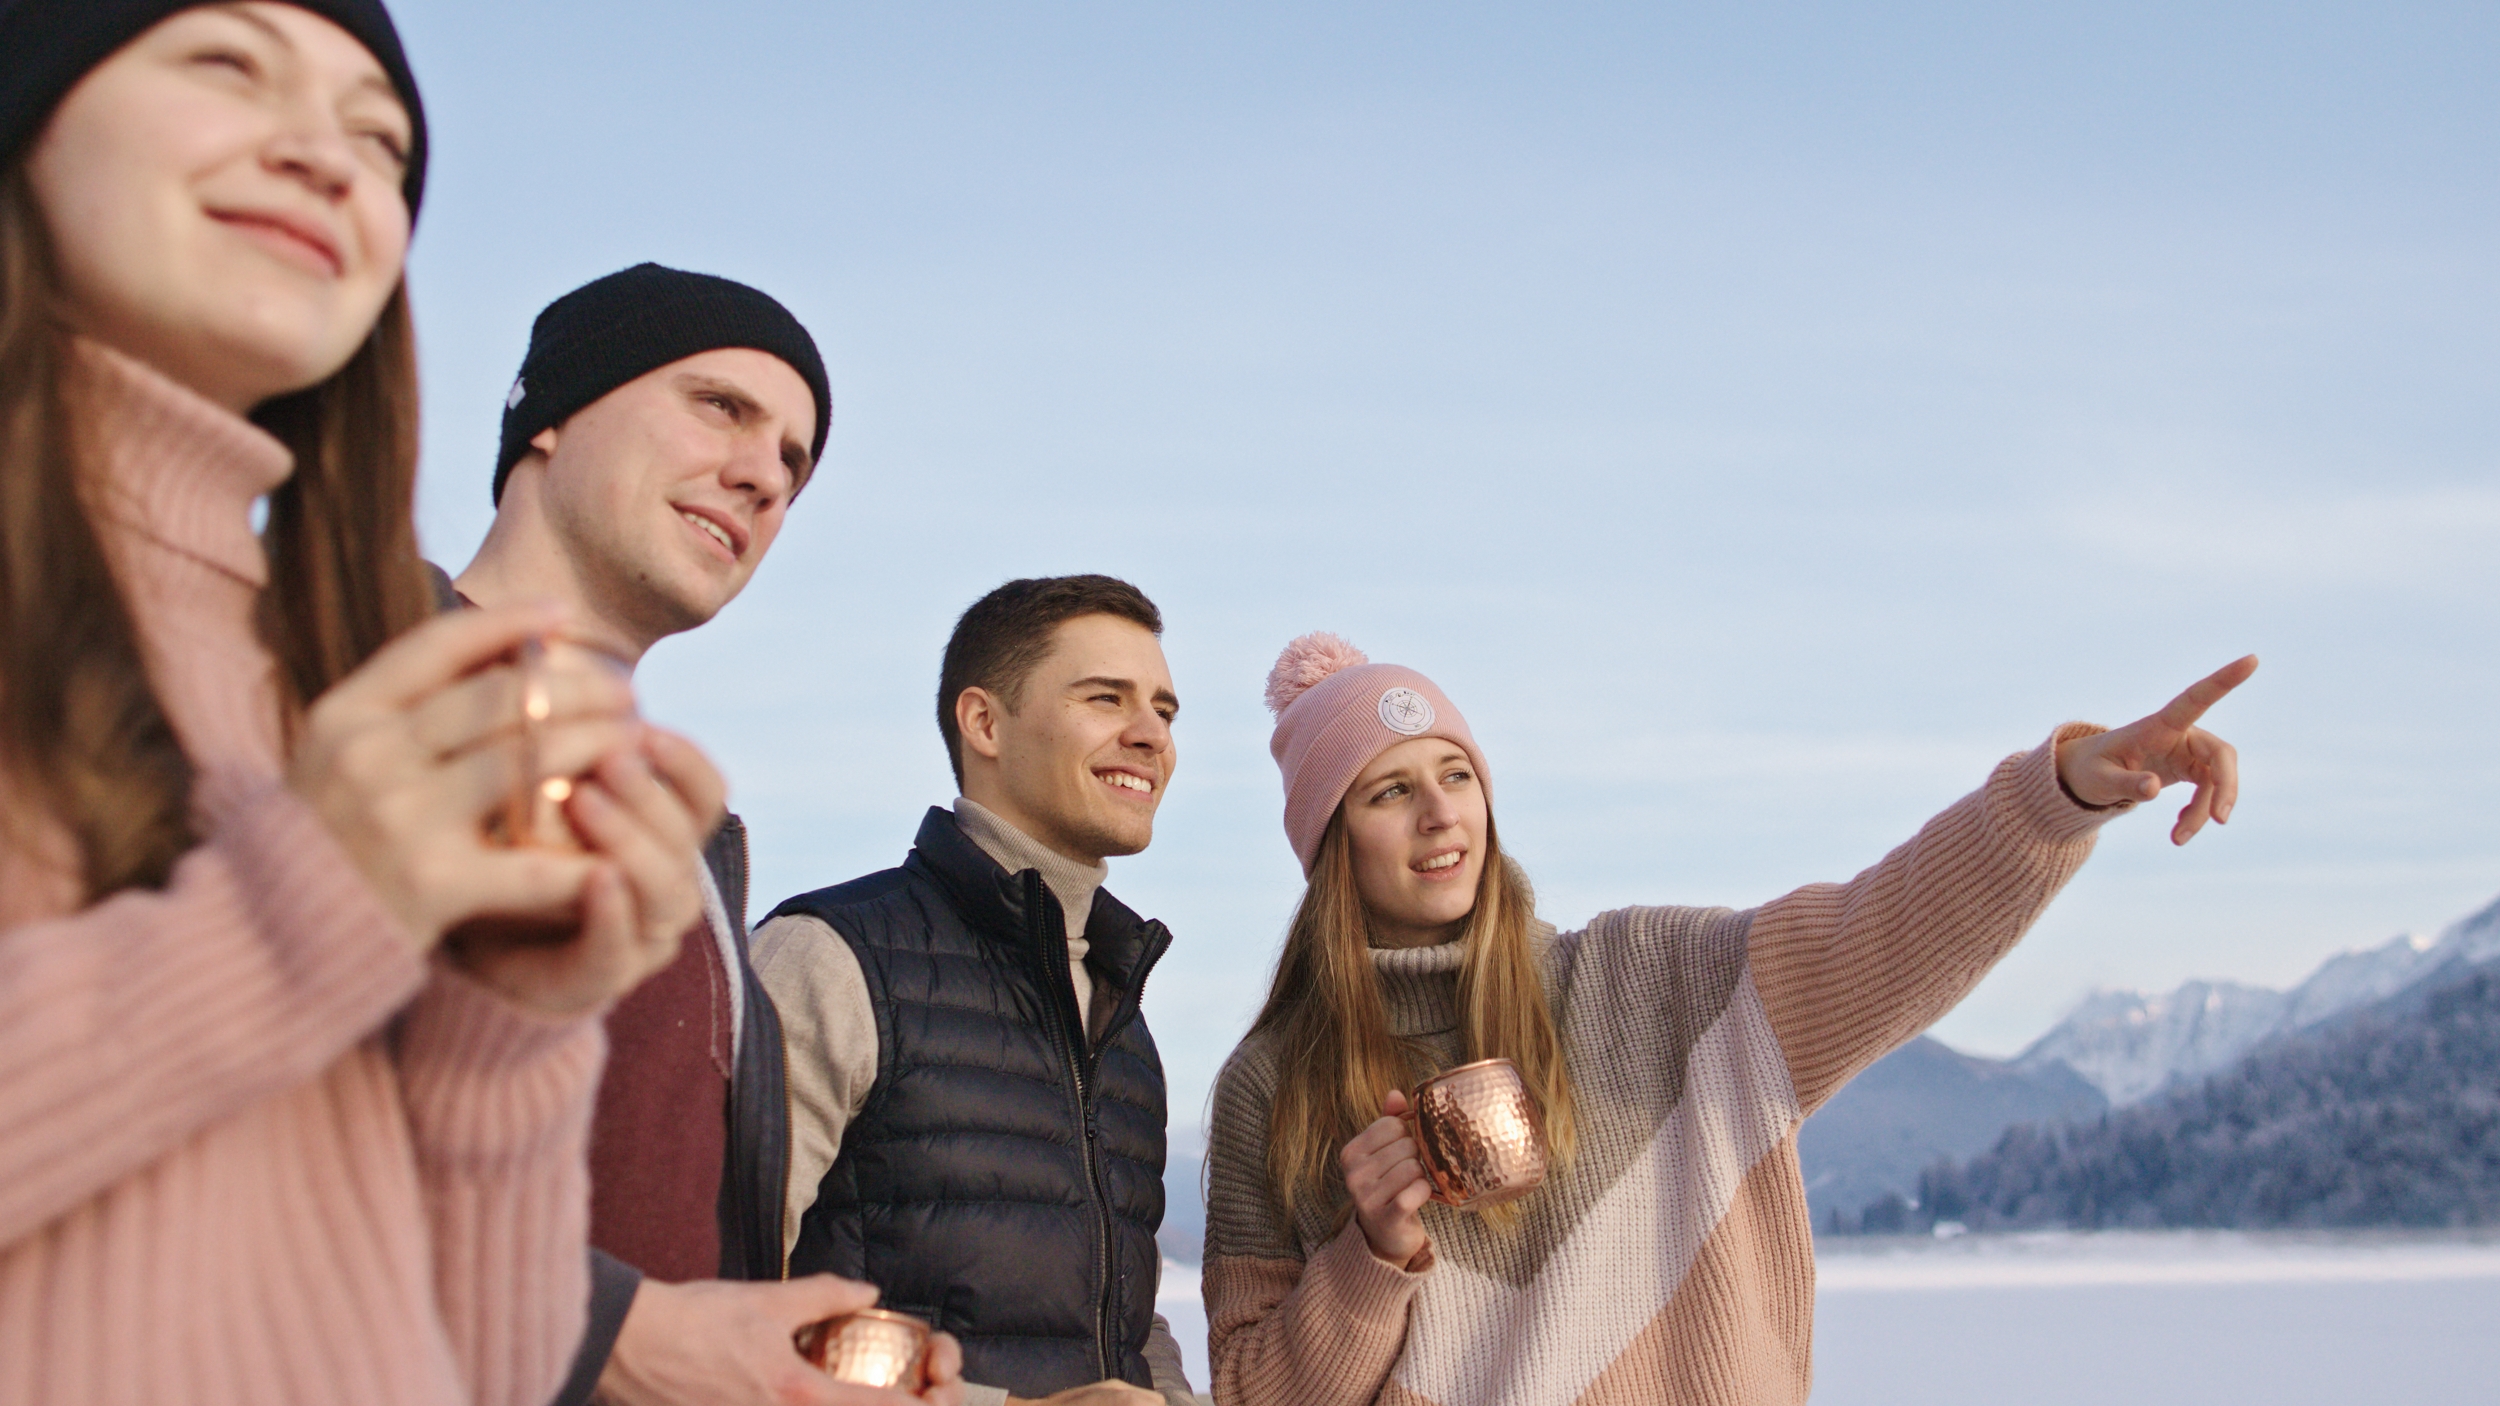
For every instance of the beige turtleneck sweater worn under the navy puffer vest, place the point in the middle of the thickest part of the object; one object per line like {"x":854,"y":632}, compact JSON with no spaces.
{"x":834,"y":1034}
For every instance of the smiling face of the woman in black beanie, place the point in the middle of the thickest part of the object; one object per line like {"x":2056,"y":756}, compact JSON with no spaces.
{"x":224,"y":199}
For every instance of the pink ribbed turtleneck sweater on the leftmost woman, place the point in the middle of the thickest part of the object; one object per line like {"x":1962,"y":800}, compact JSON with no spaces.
{"x":254,"y":1150}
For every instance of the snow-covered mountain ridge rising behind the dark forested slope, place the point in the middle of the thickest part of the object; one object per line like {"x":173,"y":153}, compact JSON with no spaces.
{"x":2131,"y":1044}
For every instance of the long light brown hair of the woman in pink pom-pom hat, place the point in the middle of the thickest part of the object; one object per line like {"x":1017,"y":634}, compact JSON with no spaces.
{"x":1334,"y":1032}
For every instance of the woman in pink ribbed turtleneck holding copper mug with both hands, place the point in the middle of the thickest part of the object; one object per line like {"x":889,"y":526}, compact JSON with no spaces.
{"x":264,"y":1132}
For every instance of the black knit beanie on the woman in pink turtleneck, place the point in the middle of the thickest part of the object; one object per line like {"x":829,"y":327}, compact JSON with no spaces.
{"x":46,"y":46}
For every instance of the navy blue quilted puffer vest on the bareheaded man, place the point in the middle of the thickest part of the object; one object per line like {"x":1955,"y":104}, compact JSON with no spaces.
{"x":1004,"y":1180}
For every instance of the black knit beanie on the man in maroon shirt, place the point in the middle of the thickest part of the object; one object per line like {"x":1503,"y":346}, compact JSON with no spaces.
{"x":631,"y":324}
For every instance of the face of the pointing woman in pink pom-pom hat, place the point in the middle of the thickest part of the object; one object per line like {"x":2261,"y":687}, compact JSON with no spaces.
{"x":1416,"y":819}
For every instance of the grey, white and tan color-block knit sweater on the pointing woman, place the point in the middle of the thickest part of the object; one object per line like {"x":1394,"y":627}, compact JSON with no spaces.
{"x":1671,"y":1262}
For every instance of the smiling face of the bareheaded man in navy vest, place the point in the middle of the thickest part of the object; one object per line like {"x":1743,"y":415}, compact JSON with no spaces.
{"x":1084,"y":752}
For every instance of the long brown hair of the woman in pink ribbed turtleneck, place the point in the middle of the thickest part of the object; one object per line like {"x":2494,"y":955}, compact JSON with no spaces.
{"x":84,"y":739}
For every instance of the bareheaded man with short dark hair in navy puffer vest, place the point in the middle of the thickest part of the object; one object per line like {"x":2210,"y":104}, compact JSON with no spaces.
{"x":976,"y":1102}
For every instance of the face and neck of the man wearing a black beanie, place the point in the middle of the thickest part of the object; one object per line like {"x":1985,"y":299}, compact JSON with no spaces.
{"x":666,"y":494}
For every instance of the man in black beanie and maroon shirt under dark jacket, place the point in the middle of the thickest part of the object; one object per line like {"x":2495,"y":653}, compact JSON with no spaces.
{"x":651,"y":447}
